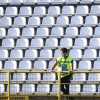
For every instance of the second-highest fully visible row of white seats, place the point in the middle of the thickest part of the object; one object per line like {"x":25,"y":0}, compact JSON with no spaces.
{"x":49,"y":21}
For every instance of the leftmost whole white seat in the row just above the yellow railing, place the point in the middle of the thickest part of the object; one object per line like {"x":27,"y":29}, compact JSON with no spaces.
{"x":10,"y":65}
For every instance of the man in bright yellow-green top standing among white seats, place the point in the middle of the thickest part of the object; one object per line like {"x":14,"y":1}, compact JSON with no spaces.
{"x":65,"y":63}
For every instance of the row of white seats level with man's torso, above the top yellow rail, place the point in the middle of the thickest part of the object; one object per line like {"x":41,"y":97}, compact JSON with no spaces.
{"x":47,"y":65}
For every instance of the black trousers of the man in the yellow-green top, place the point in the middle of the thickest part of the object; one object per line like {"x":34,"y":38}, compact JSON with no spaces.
{"x":65,"y":87}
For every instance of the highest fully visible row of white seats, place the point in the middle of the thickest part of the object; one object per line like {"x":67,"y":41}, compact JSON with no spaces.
{"x":51,"y":11}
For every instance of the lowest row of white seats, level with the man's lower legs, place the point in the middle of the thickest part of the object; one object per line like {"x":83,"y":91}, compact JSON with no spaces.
{"x":45,"y":88}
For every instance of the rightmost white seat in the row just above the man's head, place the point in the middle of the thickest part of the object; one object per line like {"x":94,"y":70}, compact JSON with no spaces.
{"x":94,"y":43}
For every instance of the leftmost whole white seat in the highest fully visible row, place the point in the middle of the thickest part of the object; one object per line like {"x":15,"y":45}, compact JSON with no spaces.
{"x":11,"y":11}
